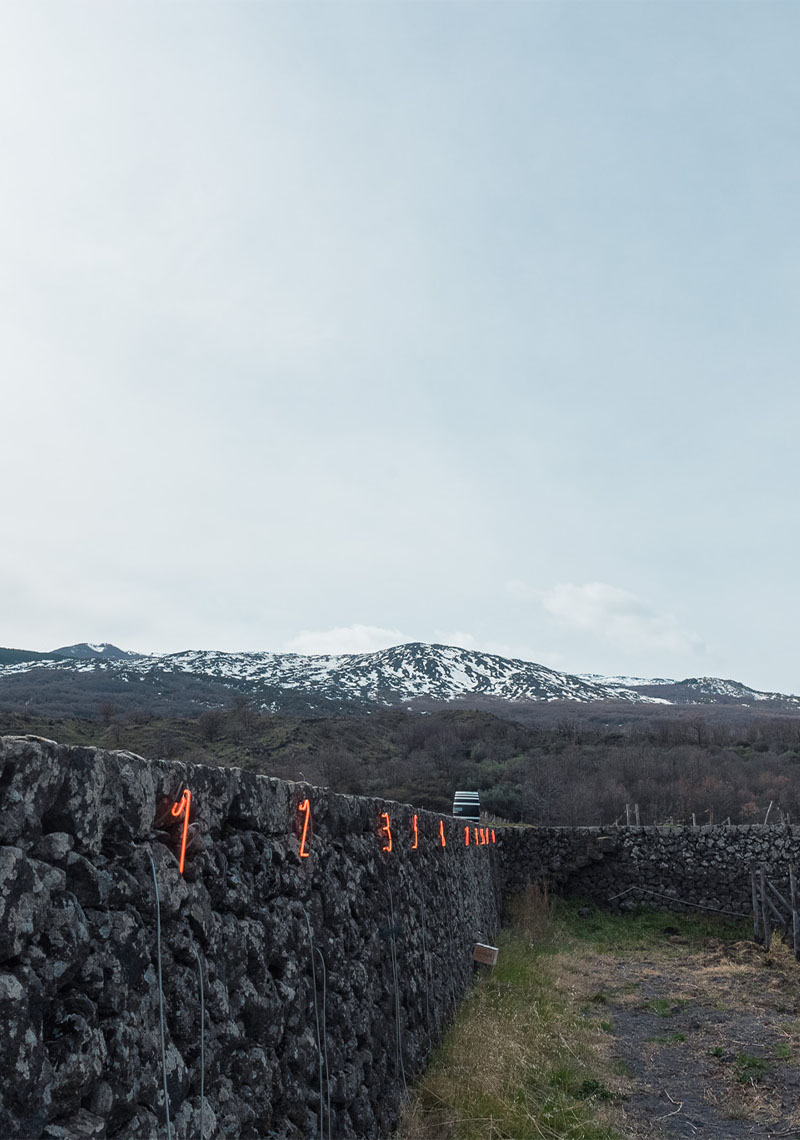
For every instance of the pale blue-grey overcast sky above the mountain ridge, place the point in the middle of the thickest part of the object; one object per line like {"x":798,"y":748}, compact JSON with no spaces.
{"x":328,"y":327}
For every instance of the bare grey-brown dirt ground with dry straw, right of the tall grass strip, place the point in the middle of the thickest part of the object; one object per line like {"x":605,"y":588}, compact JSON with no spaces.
{"x":707,"y":1041}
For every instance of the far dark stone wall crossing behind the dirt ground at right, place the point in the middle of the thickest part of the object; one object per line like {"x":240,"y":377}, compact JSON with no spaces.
{"x":674,"y":868}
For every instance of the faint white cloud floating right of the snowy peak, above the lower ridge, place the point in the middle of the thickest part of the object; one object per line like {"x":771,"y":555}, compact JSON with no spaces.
{"x":618,"y":616}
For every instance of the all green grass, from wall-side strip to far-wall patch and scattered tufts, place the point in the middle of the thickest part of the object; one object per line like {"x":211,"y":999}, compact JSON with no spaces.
{"x":525,"y":1063}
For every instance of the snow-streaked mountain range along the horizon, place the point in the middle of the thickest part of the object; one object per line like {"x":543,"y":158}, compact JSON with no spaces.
{"x":394,"y":677}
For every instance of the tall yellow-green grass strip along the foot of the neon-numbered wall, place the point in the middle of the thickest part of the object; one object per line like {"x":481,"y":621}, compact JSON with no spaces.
{"x":517,"y":1065}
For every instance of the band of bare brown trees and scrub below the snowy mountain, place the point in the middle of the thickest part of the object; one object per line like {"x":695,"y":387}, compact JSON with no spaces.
{"x":573,"y":771}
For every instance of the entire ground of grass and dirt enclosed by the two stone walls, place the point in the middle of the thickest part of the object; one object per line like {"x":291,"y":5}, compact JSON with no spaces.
{"x":599,"y":1028}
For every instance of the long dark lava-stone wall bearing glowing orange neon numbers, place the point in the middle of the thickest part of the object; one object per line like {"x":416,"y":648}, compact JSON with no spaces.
{"x":328,"y":980}
